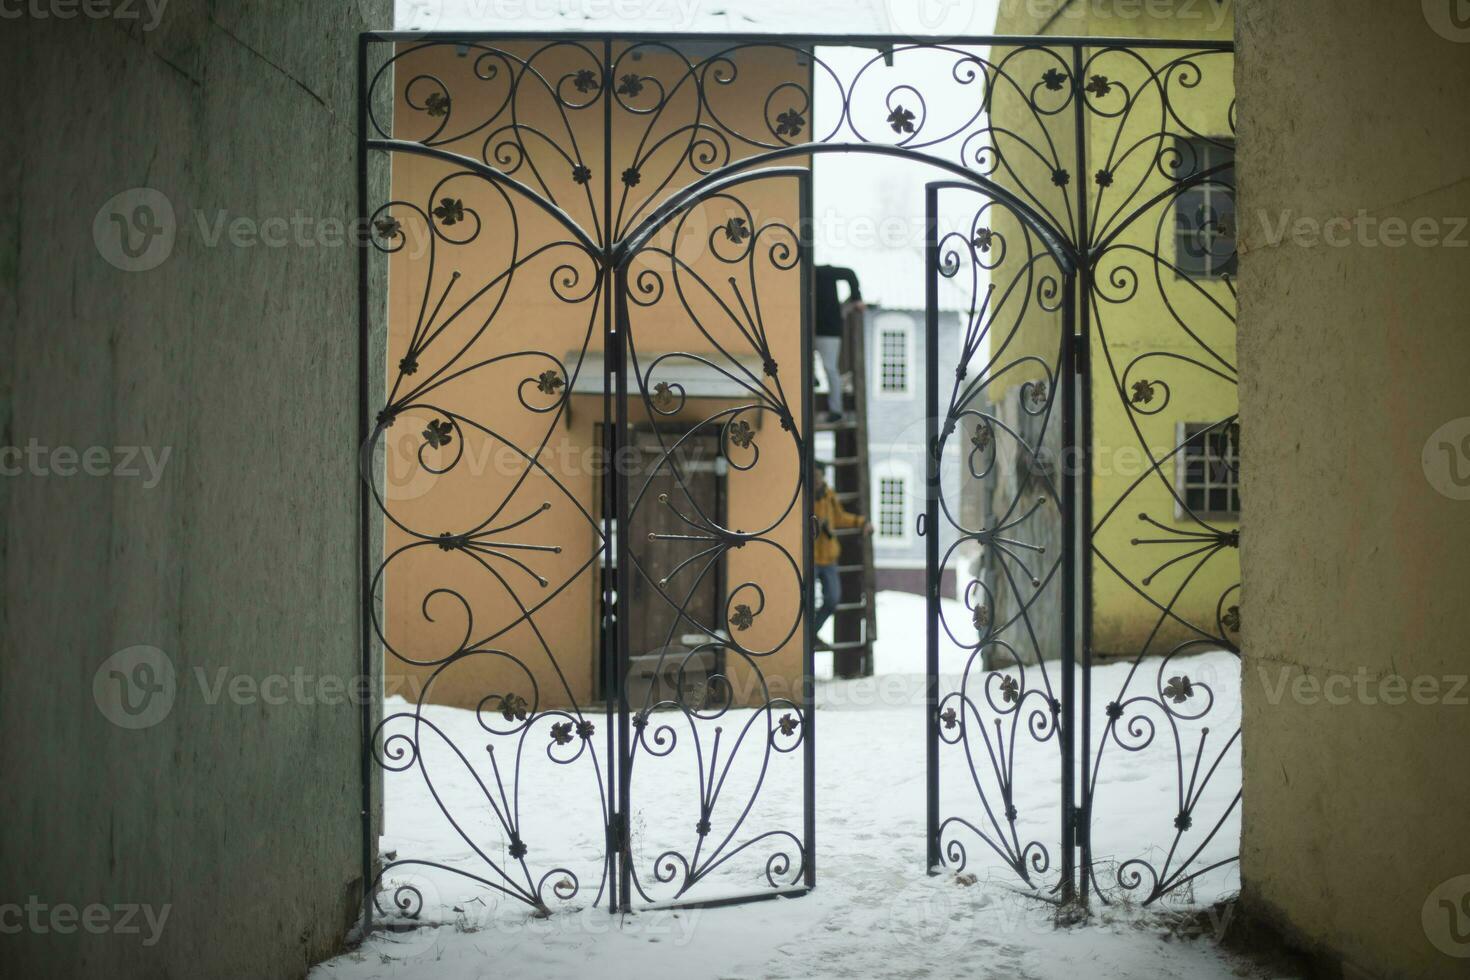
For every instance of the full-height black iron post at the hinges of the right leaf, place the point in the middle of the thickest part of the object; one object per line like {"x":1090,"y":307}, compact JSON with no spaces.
{"x":1081,"y":490}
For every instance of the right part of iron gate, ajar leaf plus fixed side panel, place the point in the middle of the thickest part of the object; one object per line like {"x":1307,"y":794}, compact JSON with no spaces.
{"x":1118,"y":309}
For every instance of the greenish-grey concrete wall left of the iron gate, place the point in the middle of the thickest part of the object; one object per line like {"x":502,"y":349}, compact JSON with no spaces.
{"x":234,"y":816}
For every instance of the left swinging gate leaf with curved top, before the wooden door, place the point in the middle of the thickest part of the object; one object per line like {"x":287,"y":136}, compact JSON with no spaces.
{"x":705,"y":298}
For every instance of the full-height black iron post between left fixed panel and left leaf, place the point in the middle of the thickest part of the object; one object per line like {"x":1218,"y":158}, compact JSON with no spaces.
{"x":608,"y":641}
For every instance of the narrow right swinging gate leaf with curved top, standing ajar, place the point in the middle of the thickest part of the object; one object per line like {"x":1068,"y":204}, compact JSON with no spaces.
{"x":996,"y":415}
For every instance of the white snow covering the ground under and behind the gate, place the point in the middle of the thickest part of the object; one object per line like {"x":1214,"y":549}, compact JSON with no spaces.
{"x":874,"y":913}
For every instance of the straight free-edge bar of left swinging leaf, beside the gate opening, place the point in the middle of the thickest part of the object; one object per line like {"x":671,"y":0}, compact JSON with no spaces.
{"x":809,"y":600}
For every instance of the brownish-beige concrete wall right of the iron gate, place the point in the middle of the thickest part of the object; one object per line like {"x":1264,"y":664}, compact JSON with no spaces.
{"x":1358,"y":547}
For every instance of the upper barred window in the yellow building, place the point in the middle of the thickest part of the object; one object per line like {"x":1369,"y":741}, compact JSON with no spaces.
{"x":1205,"y":214}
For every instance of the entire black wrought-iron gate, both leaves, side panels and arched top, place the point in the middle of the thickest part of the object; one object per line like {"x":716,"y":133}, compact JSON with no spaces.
{"x":596,"y":406}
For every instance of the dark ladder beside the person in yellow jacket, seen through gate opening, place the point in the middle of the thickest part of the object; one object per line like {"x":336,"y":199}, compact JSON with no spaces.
{"x":855,"y":624}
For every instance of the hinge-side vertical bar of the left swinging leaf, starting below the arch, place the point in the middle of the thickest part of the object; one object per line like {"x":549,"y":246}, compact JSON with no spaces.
{"x":620,"y":345}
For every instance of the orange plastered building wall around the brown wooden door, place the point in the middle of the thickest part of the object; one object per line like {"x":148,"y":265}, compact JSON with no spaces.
{"x":543,"y":318}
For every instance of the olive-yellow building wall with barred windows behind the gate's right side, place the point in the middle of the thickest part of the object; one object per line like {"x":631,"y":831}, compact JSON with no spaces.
{"x":1133,"y":305}
